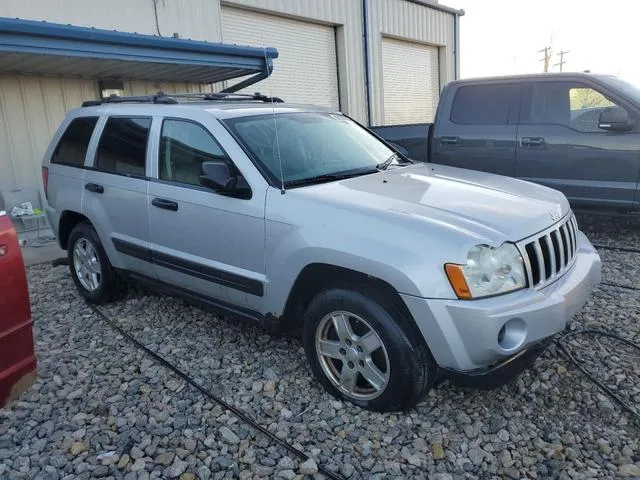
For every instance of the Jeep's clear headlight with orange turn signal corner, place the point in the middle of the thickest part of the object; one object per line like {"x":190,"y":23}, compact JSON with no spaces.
{"x":488,"y":271}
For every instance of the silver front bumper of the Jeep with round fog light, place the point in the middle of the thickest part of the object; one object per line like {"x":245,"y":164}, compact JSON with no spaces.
{"x":464,"y":335}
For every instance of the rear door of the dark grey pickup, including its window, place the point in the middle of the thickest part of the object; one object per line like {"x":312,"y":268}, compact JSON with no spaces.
{"x":476,"y":127}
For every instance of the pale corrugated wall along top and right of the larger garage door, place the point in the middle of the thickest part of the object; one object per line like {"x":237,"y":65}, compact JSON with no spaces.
{"x":346,"y":16}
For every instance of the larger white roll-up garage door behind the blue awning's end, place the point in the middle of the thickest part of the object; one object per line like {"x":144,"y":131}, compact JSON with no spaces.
{"x":306,"y":68}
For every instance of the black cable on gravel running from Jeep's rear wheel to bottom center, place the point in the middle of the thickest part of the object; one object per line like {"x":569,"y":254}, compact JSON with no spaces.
{"x":244,"y":417}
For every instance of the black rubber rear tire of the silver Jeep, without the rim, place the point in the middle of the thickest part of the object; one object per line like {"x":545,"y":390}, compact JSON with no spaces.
{"x":105,"y":291}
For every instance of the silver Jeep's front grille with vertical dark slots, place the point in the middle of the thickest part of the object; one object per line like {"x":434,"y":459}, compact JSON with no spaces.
{"x":549,"y":254}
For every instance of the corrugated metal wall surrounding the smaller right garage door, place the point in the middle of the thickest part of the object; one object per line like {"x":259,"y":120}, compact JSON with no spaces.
{"x":406,"y":20}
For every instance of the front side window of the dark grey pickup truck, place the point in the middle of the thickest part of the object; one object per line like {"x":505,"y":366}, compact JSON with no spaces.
{"x":563,"y":103}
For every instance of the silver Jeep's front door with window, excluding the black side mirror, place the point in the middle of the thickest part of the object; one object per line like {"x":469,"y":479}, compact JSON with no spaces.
{"x":204,"y":242}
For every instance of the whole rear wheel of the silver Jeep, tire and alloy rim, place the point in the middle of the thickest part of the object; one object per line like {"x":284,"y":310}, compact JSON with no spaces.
{"x":91,"y":270}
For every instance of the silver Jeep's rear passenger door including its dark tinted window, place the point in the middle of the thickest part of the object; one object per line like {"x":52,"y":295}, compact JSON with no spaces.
{"x":115,"y":192}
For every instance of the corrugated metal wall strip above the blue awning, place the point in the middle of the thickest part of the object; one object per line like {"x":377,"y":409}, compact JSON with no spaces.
{"x":196,"y":19}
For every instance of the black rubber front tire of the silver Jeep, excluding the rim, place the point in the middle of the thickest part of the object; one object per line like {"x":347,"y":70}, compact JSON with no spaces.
{"x":407,"y":365}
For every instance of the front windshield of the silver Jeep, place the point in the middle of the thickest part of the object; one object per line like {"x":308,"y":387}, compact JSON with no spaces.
{"x":305,"y":148}
